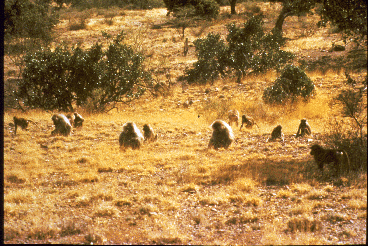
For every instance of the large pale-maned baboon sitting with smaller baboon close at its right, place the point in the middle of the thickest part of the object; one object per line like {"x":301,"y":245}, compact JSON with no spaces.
{"x":131,"y":136}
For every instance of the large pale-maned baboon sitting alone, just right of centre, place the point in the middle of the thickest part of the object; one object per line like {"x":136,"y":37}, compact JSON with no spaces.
{"x":222,"y":135}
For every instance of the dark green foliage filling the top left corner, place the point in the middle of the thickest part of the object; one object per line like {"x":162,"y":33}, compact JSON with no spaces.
{"x":33,"y":19}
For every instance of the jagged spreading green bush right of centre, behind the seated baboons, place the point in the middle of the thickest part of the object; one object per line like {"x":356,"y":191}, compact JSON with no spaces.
{"x":248,"y":50}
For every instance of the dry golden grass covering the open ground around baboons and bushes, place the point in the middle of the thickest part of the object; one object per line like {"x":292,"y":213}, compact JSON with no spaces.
{"x":84,"y":189}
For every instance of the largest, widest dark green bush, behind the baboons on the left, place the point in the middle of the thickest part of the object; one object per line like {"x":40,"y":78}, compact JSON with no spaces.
{"x":58,"y":79}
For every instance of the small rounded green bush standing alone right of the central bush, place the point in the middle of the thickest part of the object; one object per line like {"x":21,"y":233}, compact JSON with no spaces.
{"x":292,"y":84}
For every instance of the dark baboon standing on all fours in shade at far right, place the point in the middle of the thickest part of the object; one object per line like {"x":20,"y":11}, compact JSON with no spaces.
{"x":326,"y":156}
